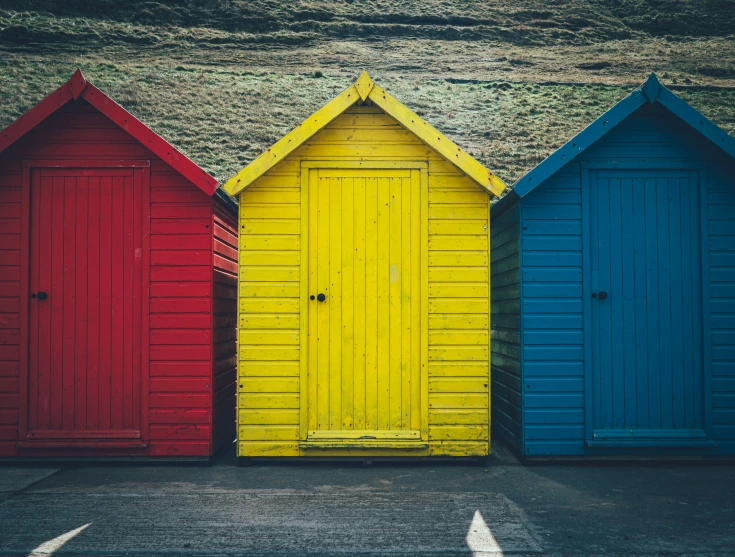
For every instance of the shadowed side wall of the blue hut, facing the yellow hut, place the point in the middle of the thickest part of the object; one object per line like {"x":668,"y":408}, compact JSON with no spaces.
{"x":505,"y":320}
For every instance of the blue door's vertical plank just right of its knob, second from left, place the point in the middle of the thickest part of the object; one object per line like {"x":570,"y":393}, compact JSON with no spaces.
{"x":615,"y":303}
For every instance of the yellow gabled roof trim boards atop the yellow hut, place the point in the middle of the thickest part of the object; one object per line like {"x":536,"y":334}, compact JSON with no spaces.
{"x":364,"y":88}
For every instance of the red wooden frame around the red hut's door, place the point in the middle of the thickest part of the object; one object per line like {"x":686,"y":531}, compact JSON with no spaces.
{"x":141,"y":175}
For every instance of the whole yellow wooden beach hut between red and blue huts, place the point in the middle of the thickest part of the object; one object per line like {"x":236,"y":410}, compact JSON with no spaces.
{"x":364,"y":288}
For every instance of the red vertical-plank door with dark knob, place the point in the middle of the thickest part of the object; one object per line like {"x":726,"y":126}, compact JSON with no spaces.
{"x":85,"y":322}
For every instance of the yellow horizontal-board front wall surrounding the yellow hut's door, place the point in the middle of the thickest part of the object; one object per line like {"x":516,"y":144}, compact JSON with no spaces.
{"x":270,"y":266}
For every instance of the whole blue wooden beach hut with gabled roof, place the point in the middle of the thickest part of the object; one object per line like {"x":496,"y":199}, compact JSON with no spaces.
{"x":613,"y":289}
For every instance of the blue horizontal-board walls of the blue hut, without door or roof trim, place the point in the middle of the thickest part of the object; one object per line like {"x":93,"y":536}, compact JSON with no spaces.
{"x":551,"y":299}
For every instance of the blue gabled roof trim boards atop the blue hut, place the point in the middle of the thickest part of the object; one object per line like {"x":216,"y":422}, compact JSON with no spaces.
{"x":651,"y":91}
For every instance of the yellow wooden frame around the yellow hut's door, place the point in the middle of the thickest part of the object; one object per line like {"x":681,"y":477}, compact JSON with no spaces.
{"x":306,"y":166}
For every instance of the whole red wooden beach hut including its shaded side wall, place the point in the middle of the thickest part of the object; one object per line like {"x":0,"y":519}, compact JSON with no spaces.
{"x":118,"y":266}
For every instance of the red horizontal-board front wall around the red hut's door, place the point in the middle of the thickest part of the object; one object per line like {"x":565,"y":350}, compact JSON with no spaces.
{"x":180,"y":385}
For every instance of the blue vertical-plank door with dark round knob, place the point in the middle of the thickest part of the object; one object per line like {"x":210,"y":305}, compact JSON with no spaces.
{"x":645,"y":309}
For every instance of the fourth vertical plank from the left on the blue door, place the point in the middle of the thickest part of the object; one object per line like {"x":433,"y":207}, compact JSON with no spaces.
{"x":652,"y":296}
